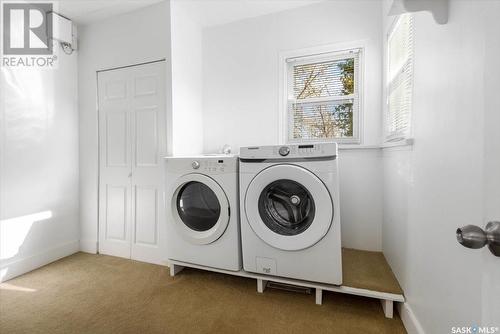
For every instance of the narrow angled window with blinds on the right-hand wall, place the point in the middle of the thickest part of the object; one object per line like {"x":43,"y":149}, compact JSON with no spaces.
{"x":400,"y":79}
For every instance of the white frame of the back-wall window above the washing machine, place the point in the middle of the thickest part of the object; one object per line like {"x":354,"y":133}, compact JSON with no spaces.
{"x":325,"y":52}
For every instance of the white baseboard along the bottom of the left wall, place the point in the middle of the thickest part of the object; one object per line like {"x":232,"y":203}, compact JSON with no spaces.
{"x":29,"y":263}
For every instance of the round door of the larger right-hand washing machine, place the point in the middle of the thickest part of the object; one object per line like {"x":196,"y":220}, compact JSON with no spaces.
{"x":288,"y":207}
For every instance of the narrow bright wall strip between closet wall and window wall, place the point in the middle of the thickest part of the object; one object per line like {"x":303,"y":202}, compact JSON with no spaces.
{"x":186,"y":82}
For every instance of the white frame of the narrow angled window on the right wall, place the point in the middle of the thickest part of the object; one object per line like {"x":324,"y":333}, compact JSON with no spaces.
{"x":398,"y":138}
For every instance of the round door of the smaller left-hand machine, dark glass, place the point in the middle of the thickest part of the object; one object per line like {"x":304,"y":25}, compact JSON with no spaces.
{"x":200,"y":209}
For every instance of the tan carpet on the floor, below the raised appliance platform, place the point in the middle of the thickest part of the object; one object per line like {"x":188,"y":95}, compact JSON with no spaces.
{"x":87,"y":293}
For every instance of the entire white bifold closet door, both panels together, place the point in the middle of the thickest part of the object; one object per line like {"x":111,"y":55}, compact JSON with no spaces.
{"x":132,"y":142}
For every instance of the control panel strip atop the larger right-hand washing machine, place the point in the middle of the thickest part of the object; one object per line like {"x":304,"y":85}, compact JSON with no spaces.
{"x":294,"y":151}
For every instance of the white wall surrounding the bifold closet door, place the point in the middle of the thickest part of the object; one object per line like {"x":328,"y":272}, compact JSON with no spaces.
{"x":132,"y":38}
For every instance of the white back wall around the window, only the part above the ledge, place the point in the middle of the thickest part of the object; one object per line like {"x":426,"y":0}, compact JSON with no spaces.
{"x":241,"y":67}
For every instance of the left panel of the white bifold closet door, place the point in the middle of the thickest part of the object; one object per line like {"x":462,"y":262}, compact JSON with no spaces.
{"x":115,"y":157}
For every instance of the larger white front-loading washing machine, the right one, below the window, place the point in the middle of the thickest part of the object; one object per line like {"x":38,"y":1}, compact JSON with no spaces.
{"x":290,"y":221}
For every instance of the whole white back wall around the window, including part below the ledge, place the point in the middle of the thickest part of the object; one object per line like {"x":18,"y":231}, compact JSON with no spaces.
{"x":240,"y":94}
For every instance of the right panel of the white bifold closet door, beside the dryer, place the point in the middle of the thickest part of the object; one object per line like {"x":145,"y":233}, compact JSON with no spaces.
{"x":148,"y":149}
